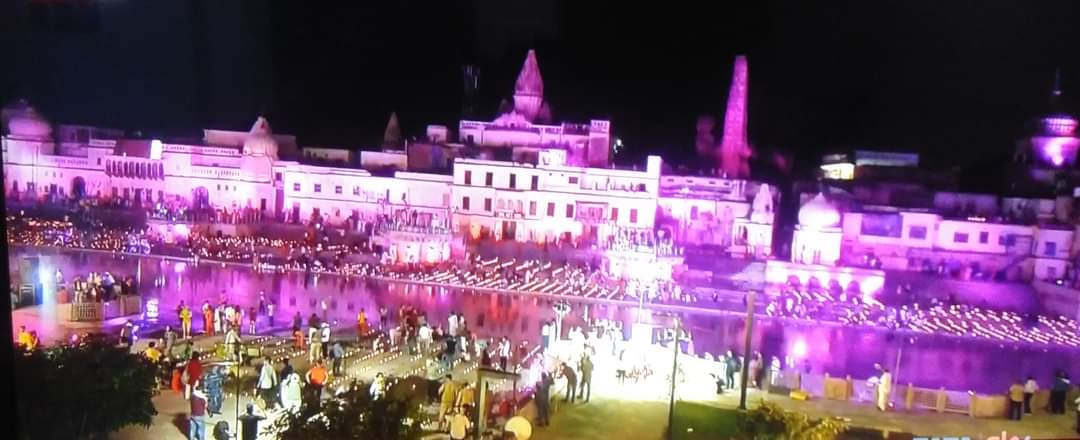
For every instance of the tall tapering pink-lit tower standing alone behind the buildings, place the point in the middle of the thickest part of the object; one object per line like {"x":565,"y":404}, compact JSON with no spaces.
{"x":735,"y":151}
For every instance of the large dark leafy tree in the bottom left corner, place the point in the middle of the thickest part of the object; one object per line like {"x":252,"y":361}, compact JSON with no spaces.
{"x":83,"y":392}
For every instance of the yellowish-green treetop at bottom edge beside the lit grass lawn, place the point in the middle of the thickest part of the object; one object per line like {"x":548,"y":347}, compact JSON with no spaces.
{"x":771,"y":422}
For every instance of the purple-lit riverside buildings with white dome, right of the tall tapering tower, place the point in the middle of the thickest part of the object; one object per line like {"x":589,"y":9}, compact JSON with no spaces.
{"x":889,"y":218}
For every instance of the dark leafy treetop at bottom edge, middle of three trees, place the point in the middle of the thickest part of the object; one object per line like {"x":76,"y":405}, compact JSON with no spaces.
{"x":352,"y":416}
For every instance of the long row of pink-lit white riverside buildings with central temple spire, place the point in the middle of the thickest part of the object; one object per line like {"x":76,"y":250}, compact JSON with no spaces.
{"x":555,"y":183}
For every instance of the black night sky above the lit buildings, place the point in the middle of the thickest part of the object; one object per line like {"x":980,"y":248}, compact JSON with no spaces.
{"x":955,"y":81}
